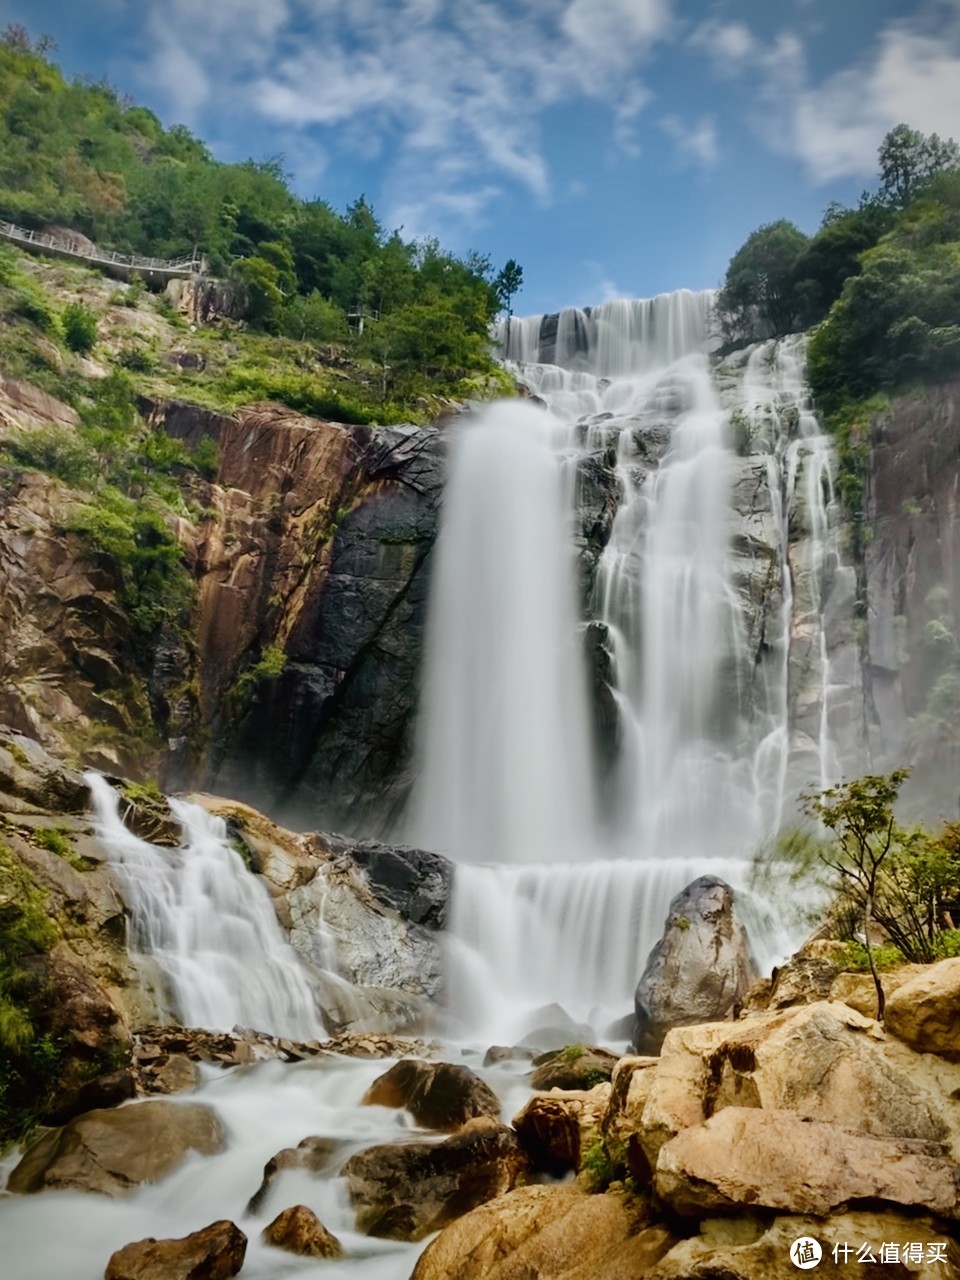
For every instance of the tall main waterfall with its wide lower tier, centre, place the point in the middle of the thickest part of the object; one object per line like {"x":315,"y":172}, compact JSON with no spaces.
{"x":702,"y":700}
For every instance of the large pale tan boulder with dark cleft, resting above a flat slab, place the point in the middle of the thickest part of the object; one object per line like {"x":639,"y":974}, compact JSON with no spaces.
{"x":824,"y":1062}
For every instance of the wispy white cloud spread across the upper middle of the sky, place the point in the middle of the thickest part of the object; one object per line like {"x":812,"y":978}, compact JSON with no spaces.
{"x":417,"y":81}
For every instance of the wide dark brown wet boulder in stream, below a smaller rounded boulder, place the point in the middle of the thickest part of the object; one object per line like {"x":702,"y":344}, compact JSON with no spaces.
{"x":406,"y":1191}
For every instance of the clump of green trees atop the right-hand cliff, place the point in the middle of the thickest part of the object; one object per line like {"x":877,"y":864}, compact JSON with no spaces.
{"x":881,"y":282}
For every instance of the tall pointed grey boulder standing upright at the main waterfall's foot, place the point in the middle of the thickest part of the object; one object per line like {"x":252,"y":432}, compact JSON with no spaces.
{"x":700,"y":970}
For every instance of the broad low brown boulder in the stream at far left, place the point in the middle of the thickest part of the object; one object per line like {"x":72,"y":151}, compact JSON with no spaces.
{"x":115,"y":1151}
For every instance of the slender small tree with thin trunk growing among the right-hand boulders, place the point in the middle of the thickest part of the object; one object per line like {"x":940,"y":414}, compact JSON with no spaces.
{"x":861,"y":817}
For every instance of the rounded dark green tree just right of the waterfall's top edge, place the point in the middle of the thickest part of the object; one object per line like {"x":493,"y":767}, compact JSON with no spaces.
{"x":758,"y":299}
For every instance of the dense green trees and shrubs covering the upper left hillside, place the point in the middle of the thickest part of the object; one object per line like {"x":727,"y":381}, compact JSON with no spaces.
{"x":414,"y":318}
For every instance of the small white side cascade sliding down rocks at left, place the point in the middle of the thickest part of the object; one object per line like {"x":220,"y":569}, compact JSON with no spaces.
{"x":208,"y":925}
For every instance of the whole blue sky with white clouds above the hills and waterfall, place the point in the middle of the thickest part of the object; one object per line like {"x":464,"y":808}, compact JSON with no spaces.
{"x":611,"y":147}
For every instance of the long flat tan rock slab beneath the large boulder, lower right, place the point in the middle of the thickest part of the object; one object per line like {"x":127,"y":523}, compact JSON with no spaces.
{"x":744,"y":1158}
